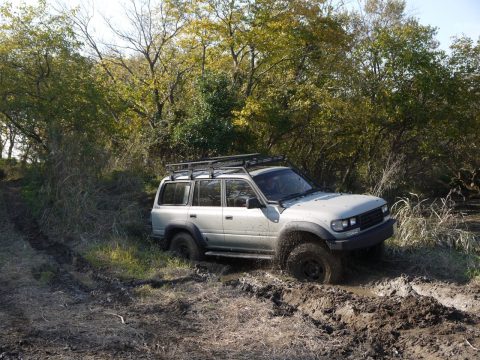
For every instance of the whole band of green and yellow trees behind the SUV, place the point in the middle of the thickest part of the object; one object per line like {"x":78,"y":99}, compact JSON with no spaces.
{"x":347,"y":96}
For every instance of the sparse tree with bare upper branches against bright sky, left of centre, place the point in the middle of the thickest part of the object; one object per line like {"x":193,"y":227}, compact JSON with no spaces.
{"x":144,"y":67}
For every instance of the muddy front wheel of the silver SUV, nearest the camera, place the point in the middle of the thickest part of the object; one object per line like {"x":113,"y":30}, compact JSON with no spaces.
{"x":313,"y":262}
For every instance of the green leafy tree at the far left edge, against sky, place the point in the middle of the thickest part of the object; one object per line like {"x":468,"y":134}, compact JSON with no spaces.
{"x":48,"y":93}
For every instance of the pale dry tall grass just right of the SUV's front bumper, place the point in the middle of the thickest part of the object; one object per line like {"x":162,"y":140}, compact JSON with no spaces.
{"x":433,"y":223}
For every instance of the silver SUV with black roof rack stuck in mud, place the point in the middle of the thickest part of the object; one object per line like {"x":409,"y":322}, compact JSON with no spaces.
{"x":244,"y":207}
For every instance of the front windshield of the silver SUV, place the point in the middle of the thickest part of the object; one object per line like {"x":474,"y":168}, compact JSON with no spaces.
{"x":281,"y":184}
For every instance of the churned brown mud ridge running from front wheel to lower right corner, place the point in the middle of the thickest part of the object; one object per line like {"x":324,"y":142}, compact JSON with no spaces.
{"x":382,"y":326}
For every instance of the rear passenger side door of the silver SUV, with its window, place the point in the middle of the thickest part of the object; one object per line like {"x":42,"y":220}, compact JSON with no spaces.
{"x":206,"y":211}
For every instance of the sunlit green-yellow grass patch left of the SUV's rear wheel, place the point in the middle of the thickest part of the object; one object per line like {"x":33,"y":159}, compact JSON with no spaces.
{"x":131,"y":258}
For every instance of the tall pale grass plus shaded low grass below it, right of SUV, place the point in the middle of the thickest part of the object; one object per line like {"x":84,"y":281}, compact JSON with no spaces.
{"x":433,"y":237}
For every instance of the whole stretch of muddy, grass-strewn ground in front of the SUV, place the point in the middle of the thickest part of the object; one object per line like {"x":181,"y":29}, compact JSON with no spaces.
{"x":53,"y":304}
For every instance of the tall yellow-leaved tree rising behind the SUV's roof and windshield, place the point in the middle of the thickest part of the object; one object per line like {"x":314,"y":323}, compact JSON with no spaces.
{"x":296,"y":105}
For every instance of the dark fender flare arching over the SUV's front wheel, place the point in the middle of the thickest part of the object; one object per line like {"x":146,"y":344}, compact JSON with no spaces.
{"x":286,"y":242}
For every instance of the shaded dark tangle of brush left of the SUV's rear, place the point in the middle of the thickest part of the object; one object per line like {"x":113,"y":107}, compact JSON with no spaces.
{"x":86,"y":207}
